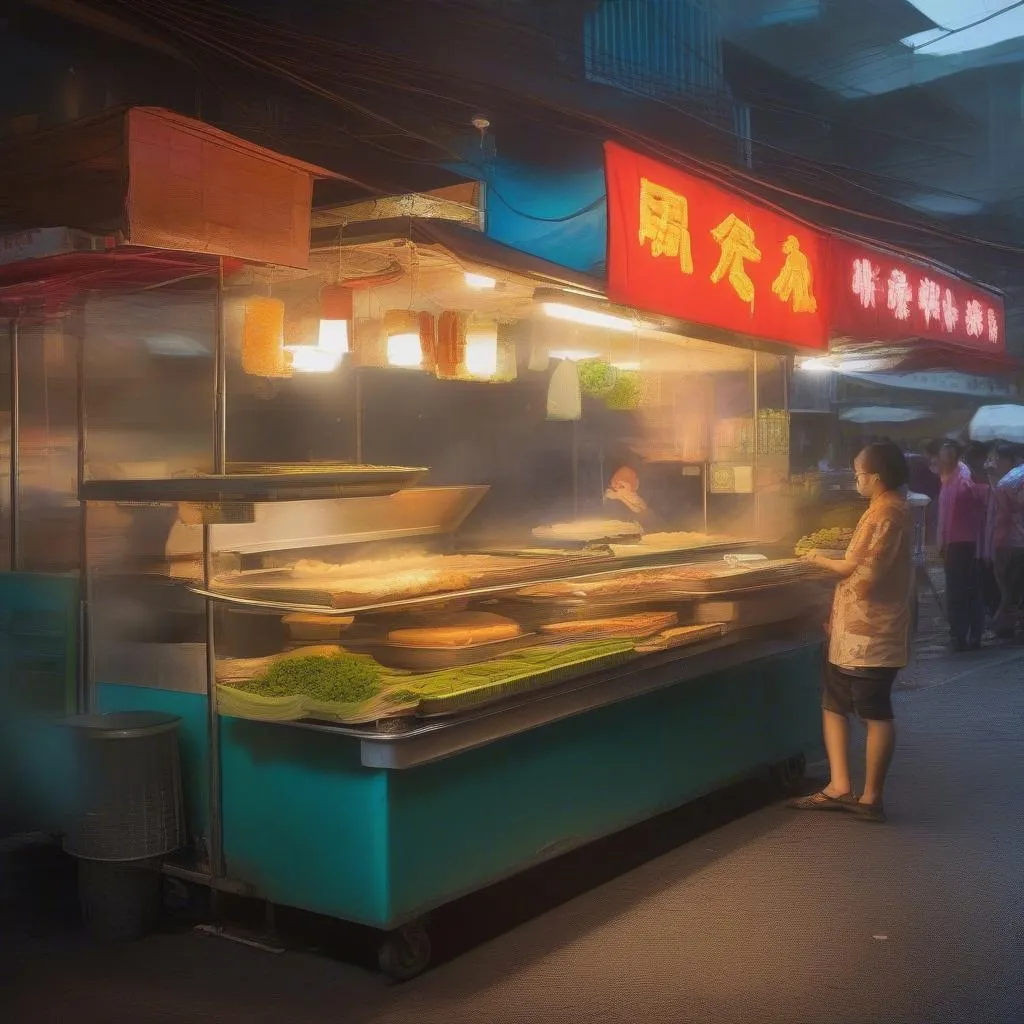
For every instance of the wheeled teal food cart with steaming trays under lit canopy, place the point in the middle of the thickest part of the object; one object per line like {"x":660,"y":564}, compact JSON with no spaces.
{"x":416,"y":641}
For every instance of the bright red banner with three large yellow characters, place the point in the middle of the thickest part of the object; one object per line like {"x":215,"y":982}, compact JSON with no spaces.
{"x":685,"y":248}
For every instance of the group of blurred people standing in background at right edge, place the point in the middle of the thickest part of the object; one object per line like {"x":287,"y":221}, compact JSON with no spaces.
{"x":980,"y":536}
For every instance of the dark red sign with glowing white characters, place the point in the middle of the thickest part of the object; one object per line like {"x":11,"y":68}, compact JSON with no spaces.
{"x":877,"y":296}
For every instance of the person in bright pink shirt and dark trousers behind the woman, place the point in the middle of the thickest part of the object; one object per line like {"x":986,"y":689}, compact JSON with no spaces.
{"x":962,"y":526}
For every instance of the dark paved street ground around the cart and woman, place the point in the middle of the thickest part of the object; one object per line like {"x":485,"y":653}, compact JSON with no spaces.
{"x":737,"y":911}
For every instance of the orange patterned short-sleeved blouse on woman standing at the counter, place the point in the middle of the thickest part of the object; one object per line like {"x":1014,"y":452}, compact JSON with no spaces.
{"x":871,"y":619}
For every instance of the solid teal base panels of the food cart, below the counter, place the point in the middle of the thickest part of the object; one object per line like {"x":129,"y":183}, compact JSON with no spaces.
{"x":310,"y":826}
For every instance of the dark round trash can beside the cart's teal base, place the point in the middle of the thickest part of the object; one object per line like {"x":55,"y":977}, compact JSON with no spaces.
{"x":127,"y":813}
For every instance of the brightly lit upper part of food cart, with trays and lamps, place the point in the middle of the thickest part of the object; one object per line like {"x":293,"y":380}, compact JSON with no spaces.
{"x":445,"y":480}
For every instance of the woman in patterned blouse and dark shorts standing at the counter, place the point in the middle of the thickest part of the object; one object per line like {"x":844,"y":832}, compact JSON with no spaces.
{"x":869,"y":633}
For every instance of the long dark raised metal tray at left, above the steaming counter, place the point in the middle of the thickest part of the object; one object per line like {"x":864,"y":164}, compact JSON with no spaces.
{"x":306,"y":482}
